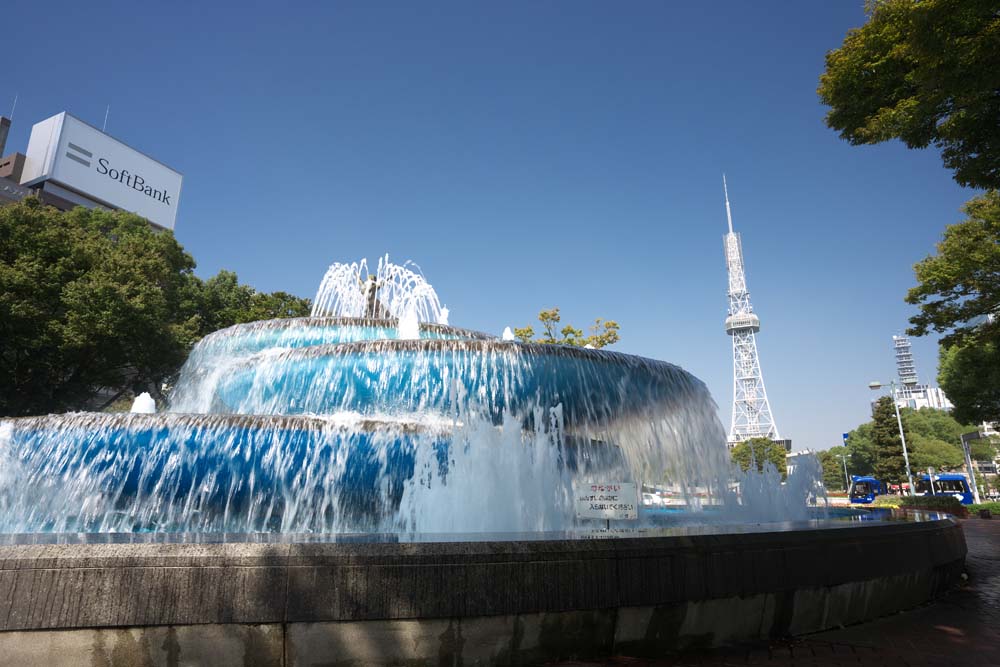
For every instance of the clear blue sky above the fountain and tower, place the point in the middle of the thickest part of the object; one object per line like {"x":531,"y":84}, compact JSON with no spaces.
{"x":526,"y":155}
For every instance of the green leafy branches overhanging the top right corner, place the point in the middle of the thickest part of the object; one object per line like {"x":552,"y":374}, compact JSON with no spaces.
{"x":925,"y":72}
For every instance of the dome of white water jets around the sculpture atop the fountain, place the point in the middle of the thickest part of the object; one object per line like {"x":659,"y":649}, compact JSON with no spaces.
{"x":393,"y":291}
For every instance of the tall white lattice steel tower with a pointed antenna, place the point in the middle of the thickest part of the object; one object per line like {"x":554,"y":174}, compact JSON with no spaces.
{"x":751,"y":411}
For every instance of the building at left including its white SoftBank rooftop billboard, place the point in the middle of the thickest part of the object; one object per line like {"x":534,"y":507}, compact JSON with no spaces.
{"x":70,"y":163}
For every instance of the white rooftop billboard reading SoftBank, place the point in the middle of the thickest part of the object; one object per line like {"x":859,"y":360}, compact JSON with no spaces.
{"x":74,"y":155}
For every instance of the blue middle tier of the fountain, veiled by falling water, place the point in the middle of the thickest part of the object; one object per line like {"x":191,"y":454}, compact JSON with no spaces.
{"x":486,"y":377}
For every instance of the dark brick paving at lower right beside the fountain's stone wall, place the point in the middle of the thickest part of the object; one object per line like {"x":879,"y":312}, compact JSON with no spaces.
{"x":960,"y":630}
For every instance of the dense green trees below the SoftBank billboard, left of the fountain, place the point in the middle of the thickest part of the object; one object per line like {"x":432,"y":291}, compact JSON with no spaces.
{"x":92,"y":299}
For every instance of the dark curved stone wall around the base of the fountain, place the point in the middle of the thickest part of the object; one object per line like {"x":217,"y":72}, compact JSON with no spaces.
{"x":506,"y":602}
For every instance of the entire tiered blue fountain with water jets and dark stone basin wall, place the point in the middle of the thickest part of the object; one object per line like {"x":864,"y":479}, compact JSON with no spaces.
{"x":372,"y":470}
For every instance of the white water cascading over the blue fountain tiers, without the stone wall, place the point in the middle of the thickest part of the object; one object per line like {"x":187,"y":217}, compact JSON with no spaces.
{"x":352,"y":420}
